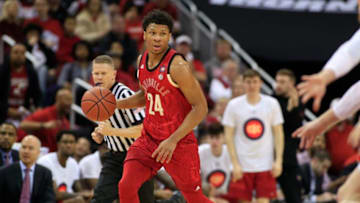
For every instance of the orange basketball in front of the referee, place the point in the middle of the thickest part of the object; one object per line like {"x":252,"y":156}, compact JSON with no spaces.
{"x":98,"y":104}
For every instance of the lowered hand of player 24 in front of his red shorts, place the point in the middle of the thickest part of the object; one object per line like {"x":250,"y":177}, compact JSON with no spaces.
{"x":165,"y":151}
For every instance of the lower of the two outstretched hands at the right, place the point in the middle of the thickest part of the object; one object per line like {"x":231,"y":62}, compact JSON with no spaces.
{"x":308,"y":132}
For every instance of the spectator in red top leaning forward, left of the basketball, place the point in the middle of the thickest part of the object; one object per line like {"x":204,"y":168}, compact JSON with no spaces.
{"x":46,"y":123}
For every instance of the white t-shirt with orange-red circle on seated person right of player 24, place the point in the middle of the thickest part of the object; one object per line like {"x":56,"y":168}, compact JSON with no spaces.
{"x":215,"y":170}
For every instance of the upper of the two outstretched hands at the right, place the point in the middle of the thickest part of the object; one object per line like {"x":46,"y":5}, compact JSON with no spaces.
{"x":312,"y":87}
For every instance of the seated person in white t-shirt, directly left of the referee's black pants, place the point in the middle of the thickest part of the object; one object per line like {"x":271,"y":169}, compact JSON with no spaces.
{"x":90,"y":167}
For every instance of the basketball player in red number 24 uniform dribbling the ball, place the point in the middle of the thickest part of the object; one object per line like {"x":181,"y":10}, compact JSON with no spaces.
{"x":175,"y":104}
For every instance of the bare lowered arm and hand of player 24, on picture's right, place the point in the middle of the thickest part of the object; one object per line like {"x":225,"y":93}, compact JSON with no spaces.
{"x":181,"y":74}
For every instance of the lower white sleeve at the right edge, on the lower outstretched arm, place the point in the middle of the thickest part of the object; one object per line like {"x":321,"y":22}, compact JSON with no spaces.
{"x":349,"y":102}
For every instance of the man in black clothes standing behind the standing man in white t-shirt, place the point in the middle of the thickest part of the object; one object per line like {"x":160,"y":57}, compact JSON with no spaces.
{"x":293,"y":112}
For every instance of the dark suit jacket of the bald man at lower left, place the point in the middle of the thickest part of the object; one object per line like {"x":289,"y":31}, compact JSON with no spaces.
{"x":11,"y":184}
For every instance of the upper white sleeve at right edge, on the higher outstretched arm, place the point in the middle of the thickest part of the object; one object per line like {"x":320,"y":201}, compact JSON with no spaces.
{"x":346,"y":57}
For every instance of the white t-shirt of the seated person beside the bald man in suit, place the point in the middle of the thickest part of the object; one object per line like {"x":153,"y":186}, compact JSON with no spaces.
{"x":64,"y":177}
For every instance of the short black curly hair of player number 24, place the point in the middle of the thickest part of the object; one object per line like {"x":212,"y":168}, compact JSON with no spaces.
{"x":158,"y":17}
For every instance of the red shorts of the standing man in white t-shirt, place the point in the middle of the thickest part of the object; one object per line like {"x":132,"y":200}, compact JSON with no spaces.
{"x":263,"y":183}
